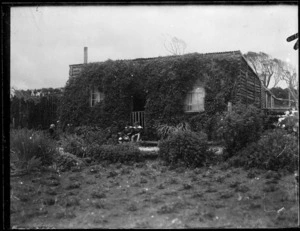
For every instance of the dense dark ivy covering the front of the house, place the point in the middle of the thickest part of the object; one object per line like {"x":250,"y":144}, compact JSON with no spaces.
{"x":164,"y":83}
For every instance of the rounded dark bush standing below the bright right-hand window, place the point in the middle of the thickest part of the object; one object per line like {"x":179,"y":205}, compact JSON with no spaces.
{"x":185,"y":147}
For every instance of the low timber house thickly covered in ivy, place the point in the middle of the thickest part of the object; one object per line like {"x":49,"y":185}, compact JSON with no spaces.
{"x":162,"y":90}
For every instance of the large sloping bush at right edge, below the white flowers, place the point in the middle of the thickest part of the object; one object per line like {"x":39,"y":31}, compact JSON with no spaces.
{"x":274,"y":151}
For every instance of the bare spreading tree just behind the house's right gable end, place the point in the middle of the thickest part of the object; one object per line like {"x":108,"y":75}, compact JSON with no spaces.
{"x":265,"y":67}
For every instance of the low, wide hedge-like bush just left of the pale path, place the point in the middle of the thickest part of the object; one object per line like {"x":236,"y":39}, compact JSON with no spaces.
{"x":119,"y":153}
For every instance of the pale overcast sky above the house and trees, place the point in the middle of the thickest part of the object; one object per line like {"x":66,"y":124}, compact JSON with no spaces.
{"x":46,"y":40}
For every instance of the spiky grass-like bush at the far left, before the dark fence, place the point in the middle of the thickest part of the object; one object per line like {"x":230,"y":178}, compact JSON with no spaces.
{"x":31,"y":145}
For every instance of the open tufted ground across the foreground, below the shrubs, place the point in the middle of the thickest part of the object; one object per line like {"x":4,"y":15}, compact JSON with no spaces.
{"x":150,"y":195}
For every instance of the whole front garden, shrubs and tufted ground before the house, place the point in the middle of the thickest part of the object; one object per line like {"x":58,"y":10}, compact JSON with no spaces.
{"x":82,"y":178}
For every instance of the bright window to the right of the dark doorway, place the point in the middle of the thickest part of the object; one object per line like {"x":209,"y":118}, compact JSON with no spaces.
{"x":195,"y":100}
